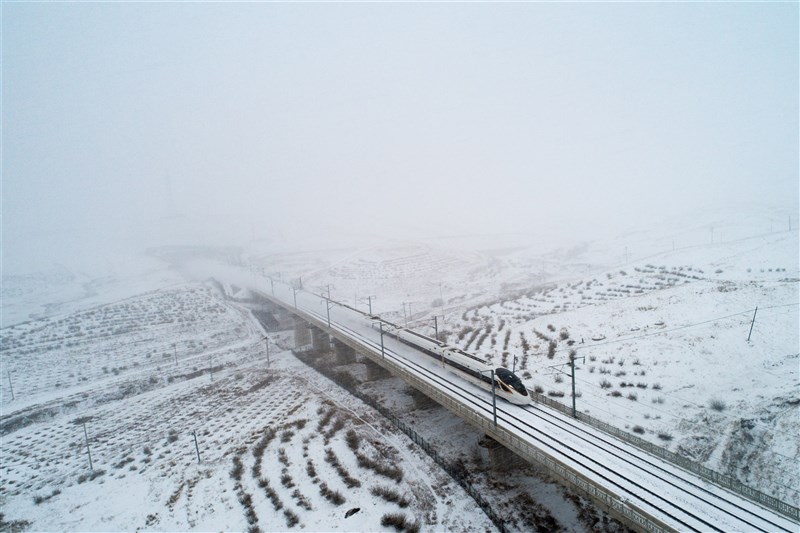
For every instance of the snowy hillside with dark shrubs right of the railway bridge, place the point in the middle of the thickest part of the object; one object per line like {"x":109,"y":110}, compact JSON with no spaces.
{"x":658,"y":319}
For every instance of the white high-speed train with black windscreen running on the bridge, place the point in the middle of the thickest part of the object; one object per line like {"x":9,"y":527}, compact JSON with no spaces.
{"x":464,"y":365}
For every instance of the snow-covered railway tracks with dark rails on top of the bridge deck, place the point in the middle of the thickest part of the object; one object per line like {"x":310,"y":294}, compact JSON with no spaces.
{"x":674,"y":496}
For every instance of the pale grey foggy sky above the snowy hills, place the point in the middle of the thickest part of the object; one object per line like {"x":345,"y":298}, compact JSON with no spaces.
{"x":447,"y":118}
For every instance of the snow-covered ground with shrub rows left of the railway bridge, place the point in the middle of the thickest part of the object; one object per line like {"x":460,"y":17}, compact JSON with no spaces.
{"x":280,"y":446}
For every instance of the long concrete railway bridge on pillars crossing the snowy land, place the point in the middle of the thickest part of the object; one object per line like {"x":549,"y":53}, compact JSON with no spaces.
{"x":640,"y":489}
